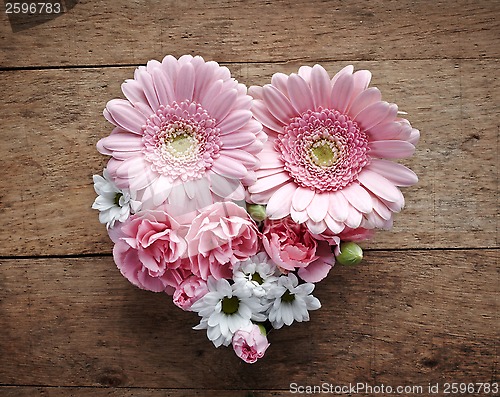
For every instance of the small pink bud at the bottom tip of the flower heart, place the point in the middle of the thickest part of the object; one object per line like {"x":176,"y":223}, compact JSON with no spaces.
{"x":250,"y":344}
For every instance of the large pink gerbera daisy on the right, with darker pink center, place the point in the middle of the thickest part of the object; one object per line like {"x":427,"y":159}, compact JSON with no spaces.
{"x":326,"y":162}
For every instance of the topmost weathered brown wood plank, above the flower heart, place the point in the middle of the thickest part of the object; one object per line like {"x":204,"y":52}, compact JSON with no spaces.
{"x":125,"y":32}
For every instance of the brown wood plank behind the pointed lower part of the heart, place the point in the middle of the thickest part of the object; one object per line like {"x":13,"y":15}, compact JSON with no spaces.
{"x":407,"y":317}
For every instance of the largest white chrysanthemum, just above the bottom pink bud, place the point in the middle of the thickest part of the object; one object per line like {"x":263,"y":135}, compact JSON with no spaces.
{"x":225,"y":309}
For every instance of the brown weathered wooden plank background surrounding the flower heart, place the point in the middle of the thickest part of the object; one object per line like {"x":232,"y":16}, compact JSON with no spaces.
{"x":423,"y":306}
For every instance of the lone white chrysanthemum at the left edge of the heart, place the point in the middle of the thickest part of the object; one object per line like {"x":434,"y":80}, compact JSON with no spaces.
{"x":114,"y":204}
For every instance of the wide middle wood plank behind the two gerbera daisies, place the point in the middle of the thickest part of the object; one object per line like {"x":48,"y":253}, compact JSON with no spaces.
{"x":52,"y":119}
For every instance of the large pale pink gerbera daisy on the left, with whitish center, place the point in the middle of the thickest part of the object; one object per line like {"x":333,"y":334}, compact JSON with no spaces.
{"x":185,"y":134}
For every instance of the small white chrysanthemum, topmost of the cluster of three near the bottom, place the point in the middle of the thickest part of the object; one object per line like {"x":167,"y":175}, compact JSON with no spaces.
{"x":258,"y":274}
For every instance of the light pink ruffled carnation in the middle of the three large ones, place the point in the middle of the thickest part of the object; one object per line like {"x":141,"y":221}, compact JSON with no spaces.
{"x":220,"y":236}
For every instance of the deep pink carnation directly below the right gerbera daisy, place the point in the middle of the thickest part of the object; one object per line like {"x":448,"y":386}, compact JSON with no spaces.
{"x":291,"y":246}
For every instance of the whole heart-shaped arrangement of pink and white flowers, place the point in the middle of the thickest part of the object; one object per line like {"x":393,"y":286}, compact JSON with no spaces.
{"x":236,"y":202}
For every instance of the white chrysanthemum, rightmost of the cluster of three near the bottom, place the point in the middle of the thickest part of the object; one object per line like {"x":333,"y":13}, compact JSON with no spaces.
{"x":291,"y":302}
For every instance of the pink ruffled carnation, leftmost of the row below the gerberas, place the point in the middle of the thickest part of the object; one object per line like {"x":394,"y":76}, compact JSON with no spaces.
{"x":148,"y":248}
